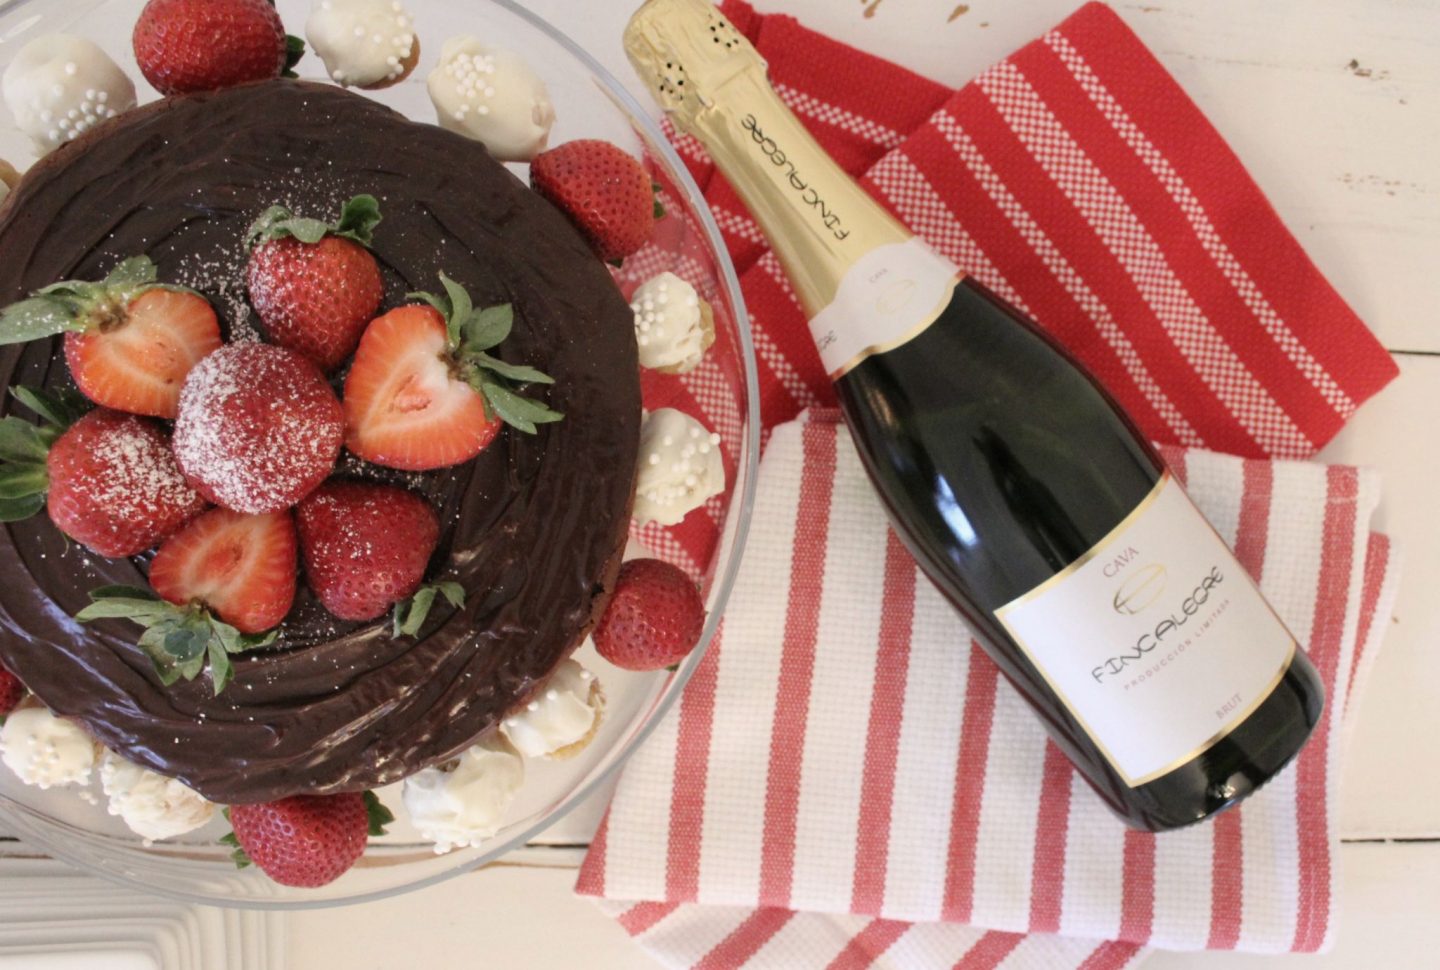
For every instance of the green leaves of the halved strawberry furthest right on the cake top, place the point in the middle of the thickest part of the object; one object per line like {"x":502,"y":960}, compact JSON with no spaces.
{"x":474,"y":332}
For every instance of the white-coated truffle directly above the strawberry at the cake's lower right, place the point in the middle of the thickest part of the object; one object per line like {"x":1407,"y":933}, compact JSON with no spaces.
{"x":679,"y":467}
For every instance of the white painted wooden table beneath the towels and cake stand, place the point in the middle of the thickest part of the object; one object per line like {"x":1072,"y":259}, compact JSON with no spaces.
{"x":1336,"y":109}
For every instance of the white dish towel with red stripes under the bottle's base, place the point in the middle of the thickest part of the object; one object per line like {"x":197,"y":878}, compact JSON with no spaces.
{"x":847,"y":782}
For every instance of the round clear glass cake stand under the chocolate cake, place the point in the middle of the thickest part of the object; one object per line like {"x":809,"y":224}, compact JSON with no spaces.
{"x":73,"y":824}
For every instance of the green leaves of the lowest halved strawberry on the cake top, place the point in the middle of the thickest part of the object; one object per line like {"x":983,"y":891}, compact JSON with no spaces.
{"x":181,"y":641}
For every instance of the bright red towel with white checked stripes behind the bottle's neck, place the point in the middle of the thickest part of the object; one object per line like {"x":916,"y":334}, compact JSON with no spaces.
{"x":1079,"y":182}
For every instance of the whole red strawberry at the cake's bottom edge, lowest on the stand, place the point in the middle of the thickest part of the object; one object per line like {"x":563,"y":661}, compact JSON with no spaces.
{"x":306,"y":840}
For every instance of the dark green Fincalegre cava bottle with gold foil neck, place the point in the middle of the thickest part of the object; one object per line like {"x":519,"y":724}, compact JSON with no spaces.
{"x":1020,"y":487}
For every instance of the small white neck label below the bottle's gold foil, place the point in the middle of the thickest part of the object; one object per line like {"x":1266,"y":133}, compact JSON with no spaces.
{"x":886,"y":299}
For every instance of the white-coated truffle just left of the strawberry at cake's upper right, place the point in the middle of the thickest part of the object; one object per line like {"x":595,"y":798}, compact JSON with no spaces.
{"x":493,"y":97}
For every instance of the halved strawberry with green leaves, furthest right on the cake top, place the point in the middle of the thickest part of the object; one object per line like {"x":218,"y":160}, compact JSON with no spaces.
{"x":426,"y":392}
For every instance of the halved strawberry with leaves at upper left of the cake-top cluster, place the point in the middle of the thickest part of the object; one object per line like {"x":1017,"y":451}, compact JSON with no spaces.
{"x":130,"y":342}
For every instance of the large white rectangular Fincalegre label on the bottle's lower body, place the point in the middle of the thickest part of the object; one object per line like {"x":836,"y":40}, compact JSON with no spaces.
{"x":1157,"y":640}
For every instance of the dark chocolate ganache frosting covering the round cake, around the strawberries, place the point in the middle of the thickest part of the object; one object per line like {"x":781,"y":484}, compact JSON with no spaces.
{"x":534,"y":529}
